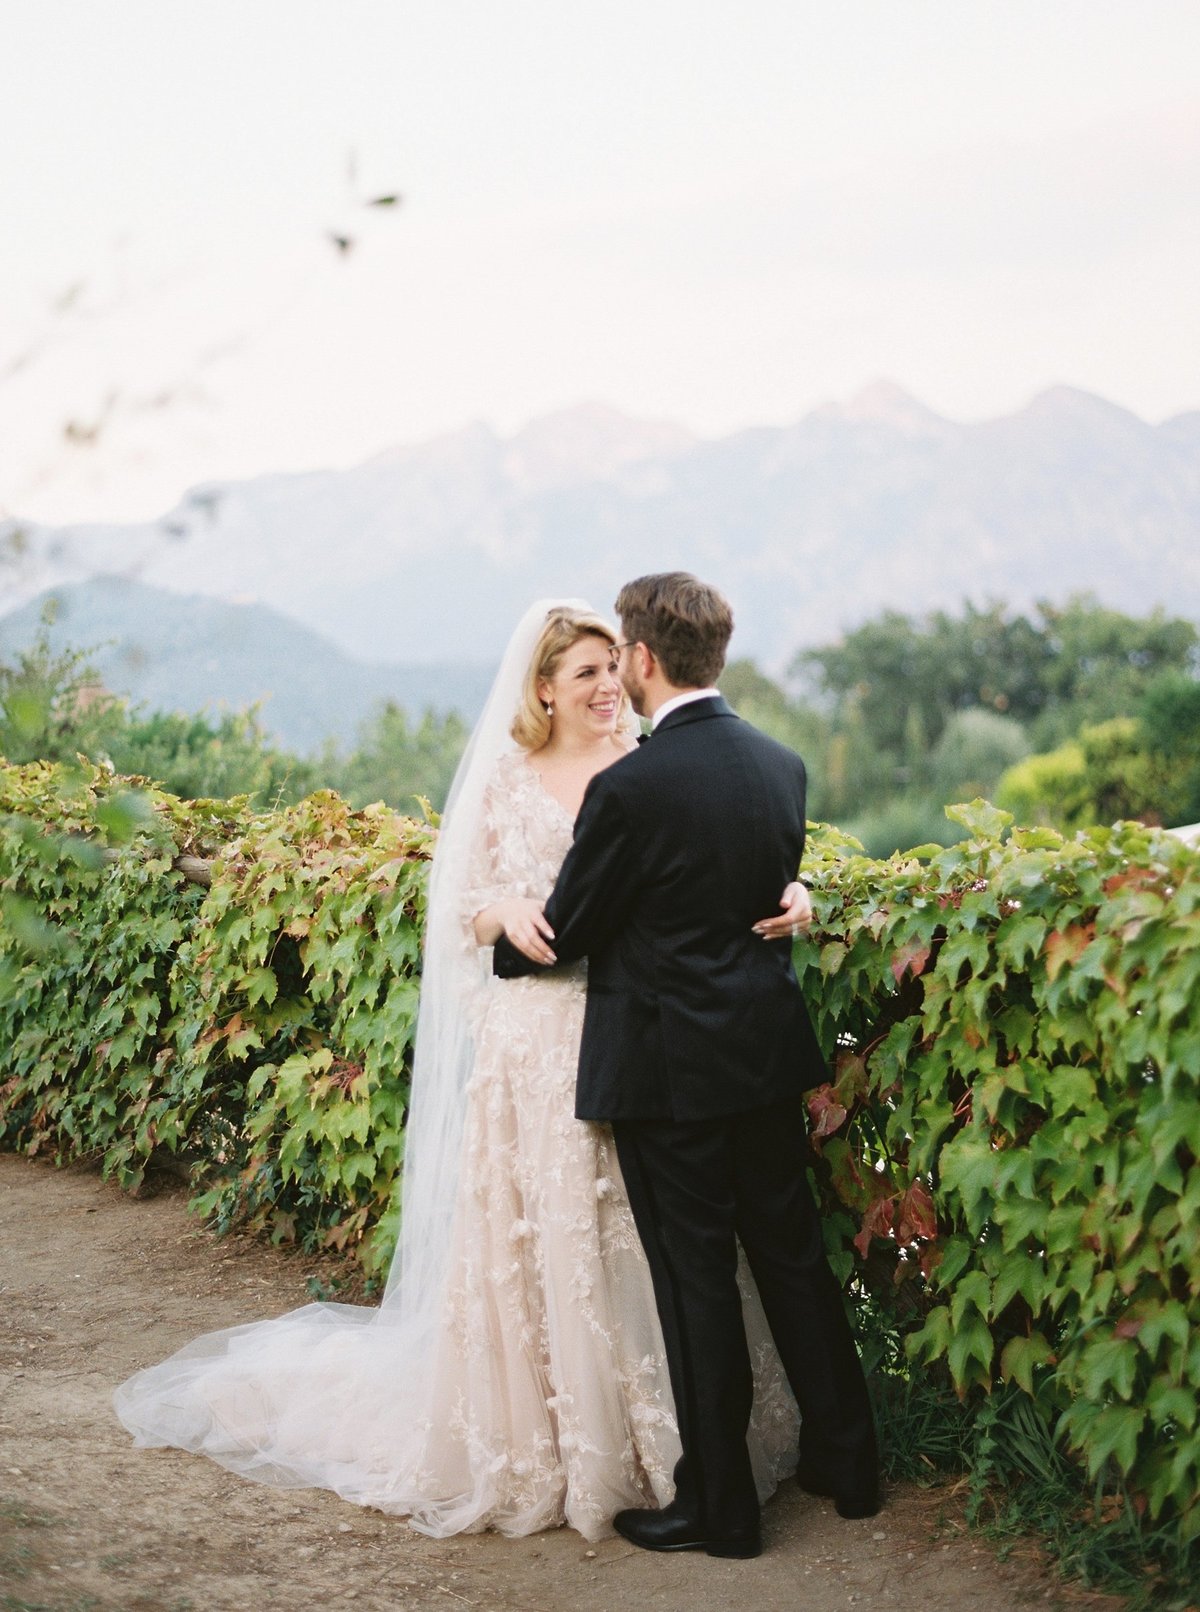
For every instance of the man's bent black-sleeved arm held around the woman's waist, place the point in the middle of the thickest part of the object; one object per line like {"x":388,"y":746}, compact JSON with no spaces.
{"x":594,"y":889}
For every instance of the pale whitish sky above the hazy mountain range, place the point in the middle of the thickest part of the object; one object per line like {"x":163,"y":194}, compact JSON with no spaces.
{"x":722,"y":215}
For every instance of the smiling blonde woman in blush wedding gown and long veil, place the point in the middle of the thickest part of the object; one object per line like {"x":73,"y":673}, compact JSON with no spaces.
{"x":514,"y":1376}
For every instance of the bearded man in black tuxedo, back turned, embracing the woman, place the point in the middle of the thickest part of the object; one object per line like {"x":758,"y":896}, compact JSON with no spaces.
{"x":698,"y":1049}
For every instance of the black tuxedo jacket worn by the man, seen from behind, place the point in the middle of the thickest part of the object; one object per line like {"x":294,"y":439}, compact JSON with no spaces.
{"x":678,"y":850}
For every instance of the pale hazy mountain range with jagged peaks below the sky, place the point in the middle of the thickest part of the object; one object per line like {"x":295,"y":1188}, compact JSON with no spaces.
{"x":431,"y":552}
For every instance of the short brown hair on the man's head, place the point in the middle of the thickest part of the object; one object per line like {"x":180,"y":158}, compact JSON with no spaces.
{"x":685,"y":621}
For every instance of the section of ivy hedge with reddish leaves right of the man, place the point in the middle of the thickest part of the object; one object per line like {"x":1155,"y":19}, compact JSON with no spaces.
{"x":1010,"y":1147}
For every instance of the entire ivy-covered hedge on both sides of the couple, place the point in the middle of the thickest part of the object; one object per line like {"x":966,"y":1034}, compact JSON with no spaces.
{"x":1007,"y":1155}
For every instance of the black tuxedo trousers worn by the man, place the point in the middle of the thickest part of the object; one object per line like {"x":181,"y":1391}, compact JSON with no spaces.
{"x":698,"y":1189}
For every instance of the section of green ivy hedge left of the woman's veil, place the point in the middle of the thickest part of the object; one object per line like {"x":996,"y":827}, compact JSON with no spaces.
{"x":260,"y":1029}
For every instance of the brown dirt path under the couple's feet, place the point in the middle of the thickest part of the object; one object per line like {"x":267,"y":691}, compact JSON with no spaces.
{"x":94,"y":1284}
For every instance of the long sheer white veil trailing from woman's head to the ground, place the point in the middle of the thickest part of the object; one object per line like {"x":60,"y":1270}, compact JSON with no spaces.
{"x":335,"y":1395}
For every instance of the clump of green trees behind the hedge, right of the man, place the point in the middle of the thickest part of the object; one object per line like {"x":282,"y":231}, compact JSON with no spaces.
{"x":944,"y":708}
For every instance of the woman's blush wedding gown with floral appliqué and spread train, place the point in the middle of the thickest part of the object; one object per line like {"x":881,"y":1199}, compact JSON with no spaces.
{"x":548,"y":1397}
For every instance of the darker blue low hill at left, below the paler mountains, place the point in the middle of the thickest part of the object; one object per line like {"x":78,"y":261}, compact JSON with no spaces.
{"x":173,"y":652}
